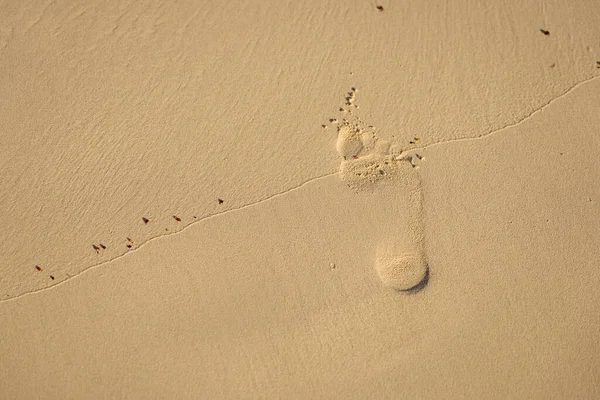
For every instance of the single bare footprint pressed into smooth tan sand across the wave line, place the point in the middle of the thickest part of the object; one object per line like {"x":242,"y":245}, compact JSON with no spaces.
{"x":401,"y":262}
